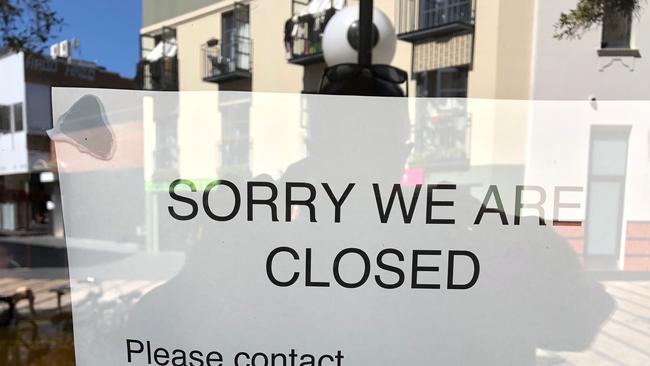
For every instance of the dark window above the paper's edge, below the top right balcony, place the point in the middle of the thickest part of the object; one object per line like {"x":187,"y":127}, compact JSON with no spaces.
{"x":445,"y":83}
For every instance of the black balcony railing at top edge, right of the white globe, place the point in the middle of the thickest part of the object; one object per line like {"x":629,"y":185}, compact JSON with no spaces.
{"x":445,"y":16}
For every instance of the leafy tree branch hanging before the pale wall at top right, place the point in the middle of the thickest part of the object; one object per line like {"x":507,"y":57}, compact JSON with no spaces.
{"x":588,"y":13}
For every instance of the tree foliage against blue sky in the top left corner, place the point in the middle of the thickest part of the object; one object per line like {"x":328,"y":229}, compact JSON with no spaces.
{"x":27,"y":25}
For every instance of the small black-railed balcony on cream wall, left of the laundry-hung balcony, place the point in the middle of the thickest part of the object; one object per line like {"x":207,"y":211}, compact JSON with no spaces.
{"x":228,"y":60}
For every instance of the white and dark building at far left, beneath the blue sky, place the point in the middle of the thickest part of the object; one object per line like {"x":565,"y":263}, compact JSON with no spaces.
{"x":28,"y":173}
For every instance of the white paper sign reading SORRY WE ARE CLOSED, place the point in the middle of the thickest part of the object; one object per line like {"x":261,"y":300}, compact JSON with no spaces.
{"x":280,"y":229}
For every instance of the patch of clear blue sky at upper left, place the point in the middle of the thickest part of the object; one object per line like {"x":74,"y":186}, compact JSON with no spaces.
{"x":107,"y":29}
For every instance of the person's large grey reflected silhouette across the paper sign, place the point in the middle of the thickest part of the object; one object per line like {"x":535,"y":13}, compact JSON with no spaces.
{"x":532,"y":291}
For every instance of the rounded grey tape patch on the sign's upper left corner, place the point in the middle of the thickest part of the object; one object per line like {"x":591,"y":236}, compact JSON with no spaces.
{"x":86,"y":126}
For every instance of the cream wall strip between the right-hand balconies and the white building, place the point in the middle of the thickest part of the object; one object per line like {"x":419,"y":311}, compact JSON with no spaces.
{"x":501,"y":69}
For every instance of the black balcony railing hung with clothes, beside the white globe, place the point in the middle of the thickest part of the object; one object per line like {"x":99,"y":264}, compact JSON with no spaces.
{"x":304,"y":33}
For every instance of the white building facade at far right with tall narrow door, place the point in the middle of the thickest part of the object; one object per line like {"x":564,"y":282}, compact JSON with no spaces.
{"x":609,"y":152}
